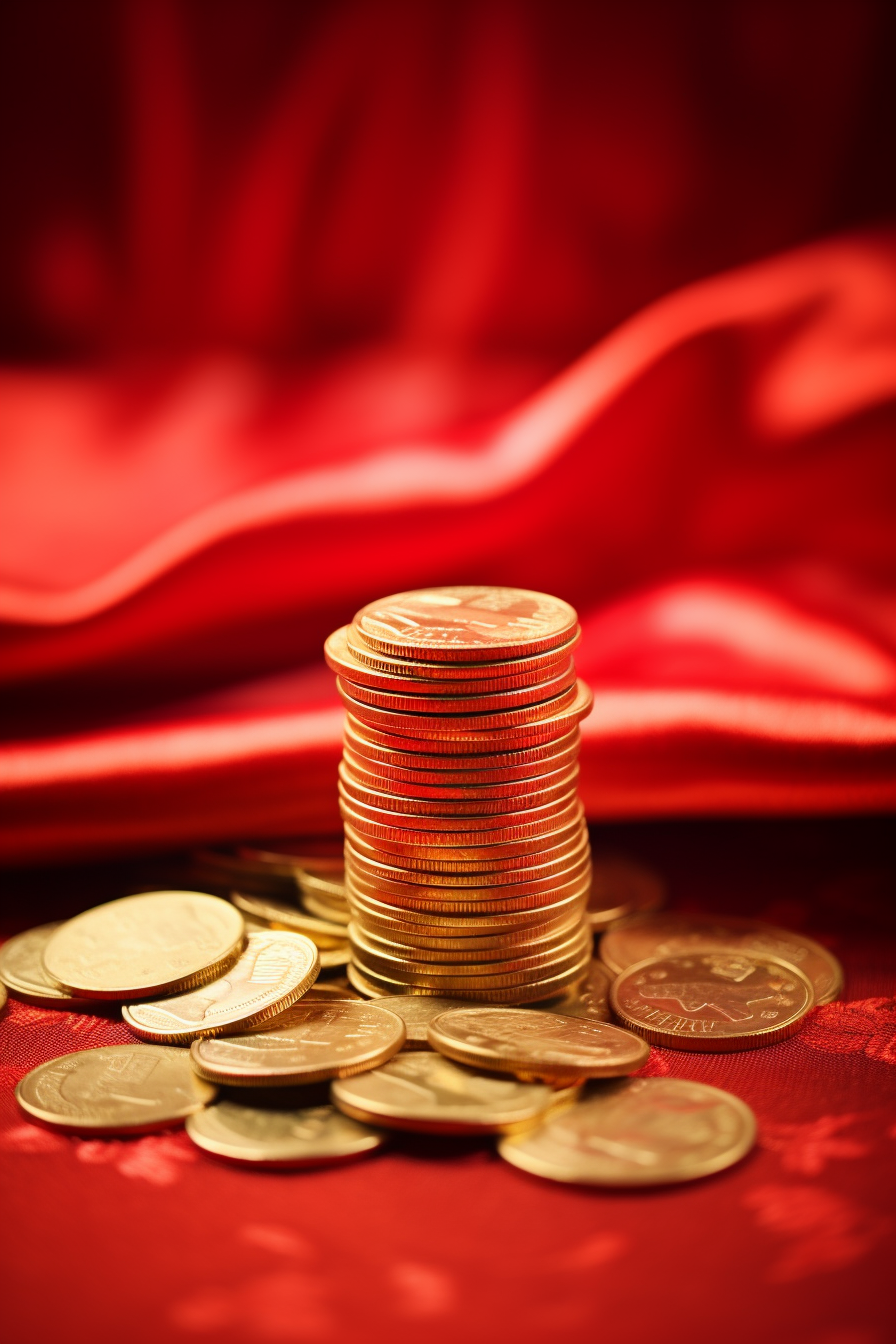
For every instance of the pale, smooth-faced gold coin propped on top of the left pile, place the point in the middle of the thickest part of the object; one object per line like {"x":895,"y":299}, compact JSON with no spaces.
{"x":152,"y":944}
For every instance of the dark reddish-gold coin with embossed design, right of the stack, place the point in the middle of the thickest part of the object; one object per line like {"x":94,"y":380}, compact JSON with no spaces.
{"x":713,"y":1001}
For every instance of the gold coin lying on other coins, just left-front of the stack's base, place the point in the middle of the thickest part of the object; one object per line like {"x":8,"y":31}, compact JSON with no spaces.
{"x":310,"y":1044}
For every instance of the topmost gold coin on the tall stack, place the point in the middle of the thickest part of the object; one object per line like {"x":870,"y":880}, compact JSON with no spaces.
{"x":465,"y":624}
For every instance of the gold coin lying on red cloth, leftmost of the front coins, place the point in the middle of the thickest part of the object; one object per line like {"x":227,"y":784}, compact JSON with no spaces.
{"x":115,"y":1091}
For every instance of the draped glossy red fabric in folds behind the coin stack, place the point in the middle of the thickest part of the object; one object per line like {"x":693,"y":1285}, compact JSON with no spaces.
{"x":307,"y":304}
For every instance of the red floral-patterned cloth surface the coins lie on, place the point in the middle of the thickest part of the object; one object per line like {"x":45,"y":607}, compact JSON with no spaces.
{"x":150,"y":1240}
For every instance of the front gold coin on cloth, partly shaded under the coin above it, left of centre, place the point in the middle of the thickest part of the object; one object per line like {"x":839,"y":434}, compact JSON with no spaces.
{"x":267,"y":1136}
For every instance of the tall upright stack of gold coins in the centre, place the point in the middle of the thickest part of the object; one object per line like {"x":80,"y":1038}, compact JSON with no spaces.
{"x":467,"y":854}
